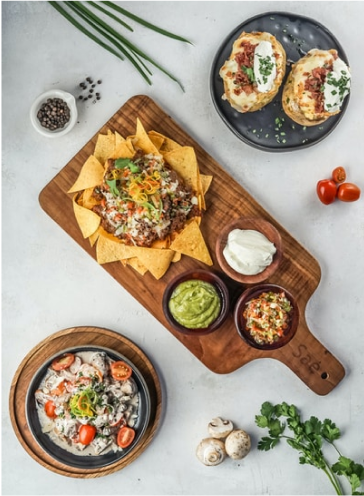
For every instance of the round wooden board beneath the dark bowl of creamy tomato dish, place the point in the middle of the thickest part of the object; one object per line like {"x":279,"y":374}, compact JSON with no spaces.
{"x":67,"y":338}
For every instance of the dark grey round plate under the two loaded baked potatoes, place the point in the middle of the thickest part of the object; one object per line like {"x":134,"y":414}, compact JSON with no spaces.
{"x":270,"y":129}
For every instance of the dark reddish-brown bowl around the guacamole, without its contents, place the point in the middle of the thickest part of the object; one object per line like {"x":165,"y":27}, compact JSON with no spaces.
{"x":204,"y":276}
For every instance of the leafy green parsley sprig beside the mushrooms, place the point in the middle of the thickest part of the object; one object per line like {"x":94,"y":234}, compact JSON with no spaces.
{"x":309,"y":439}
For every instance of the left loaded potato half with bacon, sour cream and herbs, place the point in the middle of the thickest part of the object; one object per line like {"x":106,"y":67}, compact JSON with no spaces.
{"x":254,"y":71}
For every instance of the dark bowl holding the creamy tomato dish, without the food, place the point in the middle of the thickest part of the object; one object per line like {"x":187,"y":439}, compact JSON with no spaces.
{"x":64,"y":456}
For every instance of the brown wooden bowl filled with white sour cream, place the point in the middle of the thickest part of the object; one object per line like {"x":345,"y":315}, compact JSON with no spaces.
{"x":249,"y":250}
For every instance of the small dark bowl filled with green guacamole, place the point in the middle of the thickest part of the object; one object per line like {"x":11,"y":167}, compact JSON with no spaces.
{"x":196,"y":302}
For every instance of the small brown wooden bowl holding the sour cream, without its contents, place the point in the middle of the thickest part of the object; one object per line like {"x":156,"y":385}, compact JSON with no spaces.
{"x":256,"y":224}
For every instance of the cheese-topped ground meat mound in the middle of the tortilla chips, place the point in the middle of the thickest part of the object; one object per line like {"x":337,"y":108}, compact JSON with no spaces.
{"x":142,"y":200}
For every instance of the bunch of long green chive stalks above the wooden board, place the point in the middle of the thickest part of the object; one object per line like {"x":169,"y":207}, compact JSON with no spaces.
{"x":84,"y":18}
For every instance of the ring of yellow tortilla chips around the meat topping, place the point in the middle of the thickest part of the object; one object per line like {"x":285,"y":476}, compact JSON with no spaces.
{"x":157,"y":258}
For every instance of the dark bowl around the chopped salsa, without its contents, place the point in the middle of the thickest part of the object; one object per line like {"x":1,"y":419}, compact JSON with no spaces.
{"x":241,"y":322}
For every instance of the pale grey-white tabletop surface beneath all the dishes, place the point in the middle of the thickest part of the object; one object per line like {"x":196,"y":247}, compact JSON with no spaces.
{"x":49,"y":283}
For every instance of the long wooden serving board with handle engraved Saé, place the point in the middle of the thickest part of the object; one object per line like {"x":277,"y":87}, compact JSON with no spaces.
{"x":222,"y":351}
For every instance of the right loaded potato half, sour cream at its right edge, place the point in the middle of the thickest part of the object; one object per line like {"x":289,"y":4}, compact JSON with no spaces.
{"x":316,"y":87}
